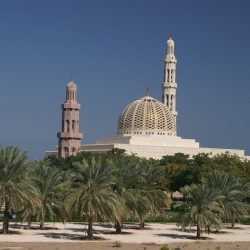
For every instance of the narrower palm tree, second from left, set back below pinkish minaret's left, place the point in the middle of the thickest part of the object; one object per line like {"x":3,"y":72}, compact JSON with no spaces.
{"x":47,"y":182}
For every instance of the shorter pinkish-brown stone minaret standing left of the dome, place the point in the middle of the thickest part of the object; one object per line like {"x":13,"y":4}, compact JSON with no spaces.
{"x":70,"y":137}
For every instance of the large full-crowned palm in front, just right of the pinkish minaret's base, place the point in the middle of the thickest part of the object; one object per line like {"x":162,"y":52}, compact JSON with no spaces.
{"x":92,"y":194}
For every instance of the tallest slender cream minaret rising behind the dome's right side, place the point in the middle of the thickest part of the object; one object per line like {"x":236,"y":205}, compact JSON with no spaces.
{"x":169,"y":80}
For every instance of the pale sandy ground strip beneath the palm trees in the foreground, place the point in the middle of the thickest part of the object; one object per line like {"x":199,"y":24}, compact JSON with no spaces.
{"x":154,"y":236}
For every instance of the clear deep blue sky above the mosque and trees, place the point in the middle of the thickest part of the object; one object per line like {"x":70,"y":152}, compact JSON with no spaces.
{"x":114,"y":49}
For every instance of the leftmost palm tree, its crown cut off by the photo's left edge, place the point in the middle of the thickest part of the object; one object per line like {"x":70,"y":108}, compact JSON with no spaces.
{"x":15,"y":190}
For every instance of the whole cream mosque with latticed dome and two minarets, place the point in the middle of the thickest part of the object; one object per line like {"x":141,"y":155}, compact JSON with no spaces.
{"x":146,"y":127}
